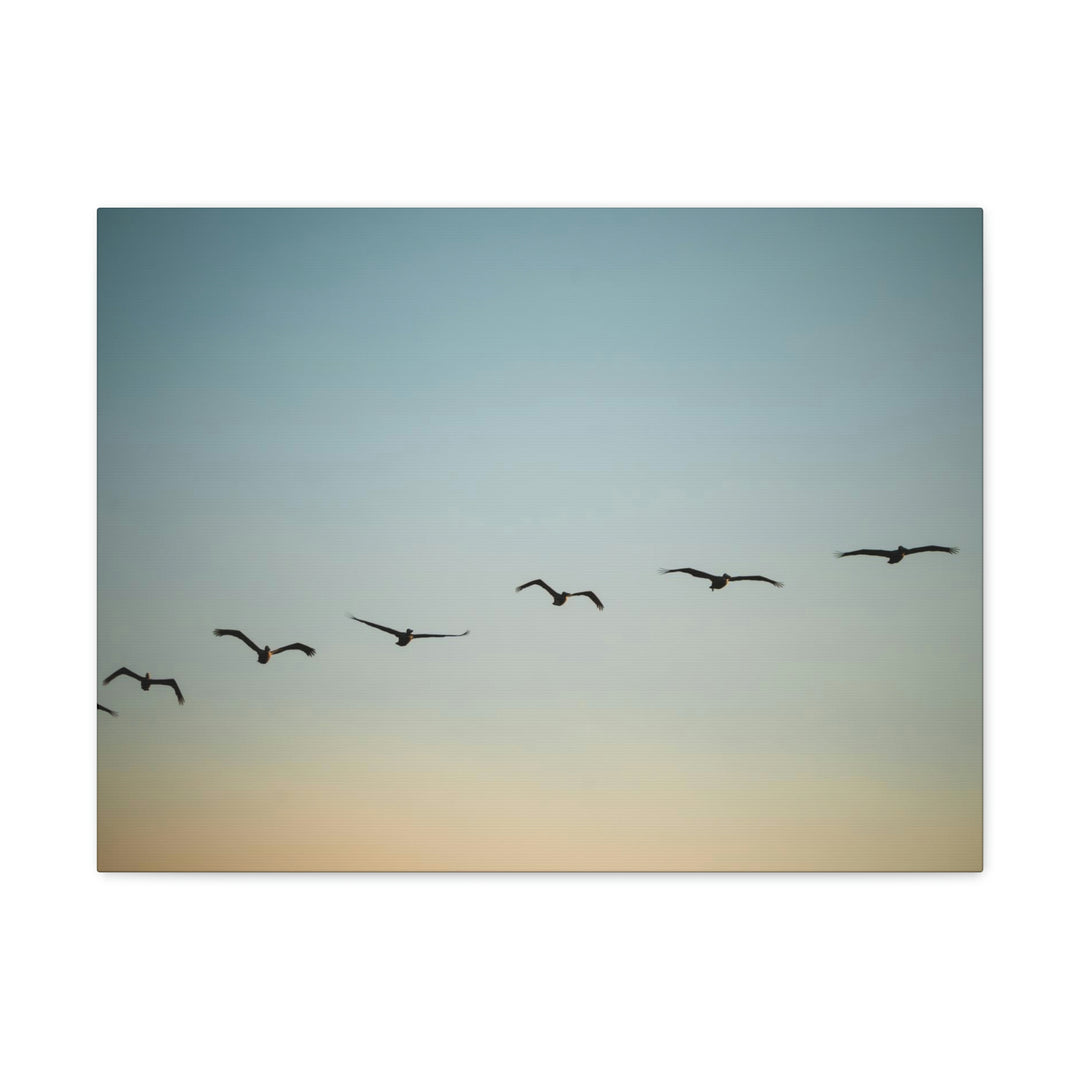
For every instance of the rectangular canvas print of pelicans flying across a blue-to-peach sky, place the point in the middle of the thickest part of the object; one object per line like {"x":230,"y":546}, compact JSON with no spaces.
{"x":587,"y":541}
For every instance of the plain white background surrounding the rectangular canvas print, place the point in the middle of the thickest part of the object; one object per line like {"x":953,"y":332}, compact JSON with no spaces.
{"x":490,"y":104}
